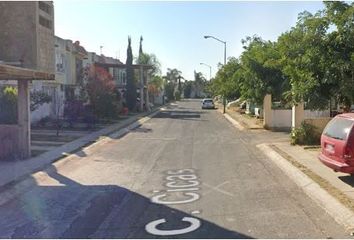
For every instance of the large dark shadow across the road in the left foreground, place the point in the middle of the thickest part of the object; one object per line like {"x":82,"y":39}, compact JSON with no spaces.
{"x":67,"y":209}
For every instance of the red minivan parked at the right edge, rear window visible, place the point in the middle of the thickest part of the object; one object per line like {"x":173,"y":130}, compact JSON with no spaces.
{"x":337,"y":144}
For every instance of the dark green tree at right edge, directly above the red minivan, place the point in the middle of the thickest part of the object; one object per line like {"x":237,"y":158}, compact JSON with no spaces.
{"x":340,"y":50}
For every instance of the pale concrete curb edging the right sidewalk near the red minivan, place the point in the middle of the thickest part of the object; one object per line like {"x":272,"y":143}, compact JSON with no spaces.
{"x":331,"y":205}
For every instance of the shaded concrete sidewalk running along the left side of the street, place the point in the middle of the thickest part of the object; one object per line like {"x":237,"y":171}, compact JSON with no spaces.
{"x":14,"y":171}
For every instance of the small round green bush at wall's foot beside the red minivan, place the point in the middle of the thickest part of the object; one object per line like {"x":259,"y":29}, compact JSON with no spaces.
{"x":306,"y":134}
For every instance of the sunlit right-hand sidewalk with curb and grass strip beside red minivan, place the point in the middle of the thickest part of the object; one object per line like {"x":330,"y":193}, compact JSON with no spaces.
{"x":332,"y":191}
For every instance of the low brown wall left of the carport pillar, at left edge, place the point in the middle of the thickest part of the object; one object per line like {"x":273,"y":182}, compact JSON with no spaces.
{"x":8,"y":141}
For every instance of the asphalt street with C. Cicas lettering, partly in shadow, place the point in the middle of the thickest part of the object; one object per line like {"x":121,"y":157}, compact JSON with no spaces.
{"x":186,"y":173}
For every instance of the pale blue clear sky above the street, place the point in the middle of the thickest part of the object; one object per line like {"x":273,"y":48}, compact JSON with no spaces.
{"x":174,"y":31}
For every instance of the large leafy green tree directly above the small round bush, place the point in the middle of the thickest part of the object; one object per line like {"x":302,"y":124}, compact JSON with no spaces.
{"x":304,"y":61}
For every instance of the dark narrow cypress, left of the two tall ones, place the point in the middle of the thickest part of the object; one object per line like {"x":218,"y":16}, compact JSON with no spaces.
{"x":131,"y":88}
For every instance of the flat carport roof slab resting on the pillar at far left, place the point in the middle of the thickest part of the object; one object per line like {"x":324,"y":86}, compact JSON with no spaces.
{"x":8,"y":72}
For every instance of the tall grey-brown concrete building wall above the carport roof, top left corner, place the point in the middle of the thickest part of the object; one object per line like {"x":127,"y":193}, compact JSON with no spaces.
{"x":22,"y":37}
